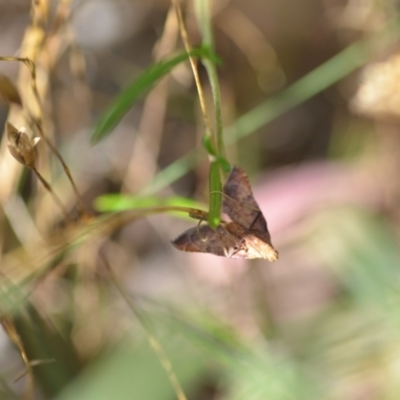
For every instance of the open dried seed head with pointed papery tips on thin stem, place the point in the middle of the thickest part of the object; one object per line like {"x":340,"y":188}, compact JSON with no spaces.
{"x":20,"y":146}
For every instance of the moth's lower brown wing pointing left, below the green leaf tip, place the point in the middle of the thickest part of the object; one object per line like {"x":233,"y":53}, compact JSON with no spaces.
{"x":203,"y":239}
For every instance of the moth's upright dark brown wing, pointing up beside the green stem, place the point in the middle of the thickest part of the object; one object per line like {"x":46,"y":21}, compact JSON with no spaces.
{"x":239,"y":202}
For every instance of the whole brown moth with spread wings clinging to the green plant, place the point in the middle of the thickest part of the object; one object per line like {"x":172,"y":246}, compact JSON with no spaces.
{"x":246,"y":236}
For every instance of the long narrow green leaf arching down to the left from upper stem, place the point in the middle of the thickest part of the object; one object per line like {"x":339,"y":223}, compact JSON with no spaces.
{"x":126,"y":99}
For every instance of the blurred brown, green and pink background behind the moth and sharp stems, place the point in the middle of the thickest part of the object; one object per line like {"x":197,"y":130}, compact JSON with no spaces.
{"x":311,"y":102}
